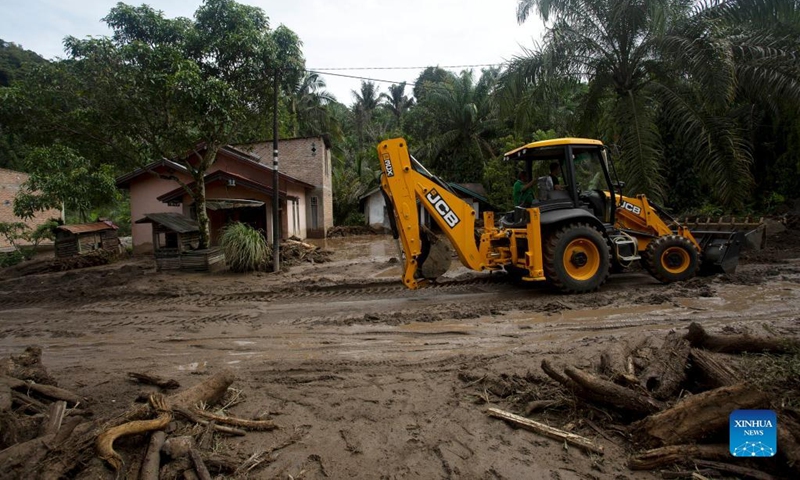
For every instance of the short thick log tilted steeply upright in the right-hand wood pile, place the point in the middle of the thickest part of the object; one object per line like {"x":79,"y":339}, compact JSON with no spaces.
{"x":666,"y":373}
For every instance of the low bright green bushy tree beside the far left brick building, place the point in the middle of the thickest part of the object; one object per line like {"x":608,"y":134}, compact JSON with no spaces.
{"x":59,"y":176}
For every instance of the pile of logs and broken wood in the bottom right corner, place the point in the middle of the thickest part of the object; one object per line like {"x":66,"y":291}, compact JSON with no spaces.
{"x":675,"y":399}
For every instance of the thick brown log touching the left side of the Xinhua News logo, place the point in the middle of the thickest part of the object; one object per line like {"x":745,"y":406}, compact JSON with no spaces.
{"x":697,"y":416}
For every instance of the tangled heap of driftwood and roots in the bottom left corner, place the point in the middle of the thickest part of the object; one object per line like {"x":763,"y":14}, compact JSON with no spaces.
{"x":61,"y":443}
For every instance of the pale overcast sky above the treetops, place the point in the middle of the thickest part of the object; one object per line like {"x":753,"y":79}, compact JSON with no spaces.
{"x":341,"y":33}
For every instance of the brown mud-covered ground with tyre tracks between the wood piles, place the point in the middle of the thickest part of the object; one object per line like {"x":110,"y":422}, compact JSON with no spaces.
{"x":368,"y":379}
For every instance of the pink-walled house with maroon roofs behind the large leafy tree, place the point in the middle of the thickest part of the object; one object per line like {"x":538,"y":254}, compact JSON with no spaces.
{"x":238,"y":189}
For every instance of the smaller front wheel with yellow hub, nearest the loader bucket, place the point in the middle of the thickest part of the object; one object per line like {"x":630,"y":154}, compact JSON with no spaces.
{"x":671,"y":258}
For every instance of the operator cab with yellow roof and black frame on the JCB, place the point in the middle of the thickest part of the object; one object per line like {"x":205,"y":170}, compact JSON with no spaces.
{"x":581,"y":179}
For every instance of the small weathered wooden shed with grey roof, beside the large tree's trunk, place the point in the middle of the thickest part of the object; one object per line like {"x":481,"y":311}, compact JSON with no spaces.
{"x":175,"y":241}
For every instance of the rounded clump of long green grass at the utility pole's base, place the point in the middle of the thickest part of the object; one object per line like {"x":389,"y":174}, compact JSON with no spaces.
{"x":246,"y":249}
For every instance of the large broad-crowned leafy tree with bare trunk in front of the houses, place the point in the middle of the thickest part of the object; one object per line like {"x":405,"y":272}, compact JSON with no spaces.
{"x":179,"y":88}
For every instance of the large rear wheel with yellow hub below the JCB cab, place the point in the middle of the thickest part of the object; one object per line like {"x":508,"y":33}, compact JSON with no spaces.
{"x":576,"y":259}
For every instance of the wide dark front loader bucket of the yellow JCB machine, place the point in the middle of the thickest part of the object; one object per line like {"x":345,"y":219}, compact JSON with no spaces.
{"x":721,"y":241}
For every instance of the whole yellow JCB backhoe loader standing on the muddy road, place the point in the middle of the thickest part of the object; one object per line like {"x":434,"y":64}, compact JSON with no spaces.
{"x":571,"y":237}
